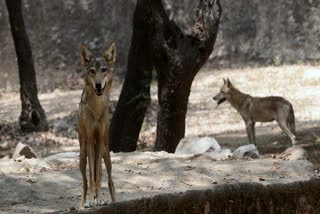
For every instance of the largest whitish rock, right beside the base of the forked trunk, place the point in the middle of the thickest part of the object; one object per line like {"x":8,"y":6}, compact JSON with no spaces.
{"x":196,"y":145}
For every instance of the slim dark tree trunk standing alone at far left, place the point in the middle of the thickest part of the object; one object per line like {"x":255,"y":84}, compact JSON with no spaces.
{"x":32,"y":116}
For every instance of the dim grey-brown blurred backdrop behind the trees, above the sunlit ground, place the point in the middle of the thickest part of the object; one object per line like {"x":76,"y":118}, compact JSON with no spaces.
{"x":251,"y":33}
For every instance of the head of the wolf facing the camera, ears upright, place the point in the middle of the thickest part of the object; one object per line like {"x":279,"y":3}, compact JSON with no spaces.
{"x":98,"y":70}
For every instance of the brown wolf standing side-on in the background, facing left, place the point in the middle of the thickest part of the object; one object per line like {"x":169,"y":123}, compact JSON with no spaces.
{"x":259,"y":109}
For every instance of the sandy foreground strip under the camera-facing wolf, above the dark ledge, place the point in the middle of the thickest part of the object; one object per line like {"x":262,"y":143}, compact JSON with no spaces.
{"x":30,"y":186}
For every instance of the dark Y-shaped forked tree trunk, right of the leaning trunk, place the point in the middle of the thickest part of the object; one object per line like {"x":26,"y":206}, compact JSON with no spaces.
{"x":177,"y":59}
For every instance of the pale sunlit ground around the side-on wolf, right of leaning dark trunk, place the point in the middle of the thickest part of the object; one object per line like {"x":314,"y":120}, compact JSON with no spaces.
{"x":298,"y":84}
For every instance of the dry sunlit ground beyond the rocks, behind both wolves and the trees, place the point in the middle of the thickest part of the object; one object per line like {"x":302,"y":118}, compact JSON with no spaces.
{"x":299,"y":84}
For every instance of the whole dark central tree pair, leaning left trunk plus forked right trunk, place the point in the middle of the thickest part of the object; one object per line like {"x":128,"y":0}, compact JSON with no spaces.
{"x":177,"y":58}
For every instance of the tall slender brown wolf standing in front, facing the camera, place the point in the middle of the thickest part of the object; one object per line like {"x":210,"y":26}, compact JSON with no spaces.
{"x":93,"y":125}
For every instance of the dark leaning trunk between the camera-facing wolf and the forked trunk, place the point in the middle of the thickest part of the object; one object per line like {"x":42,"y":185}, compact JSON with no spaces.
{"x":135,"y":95}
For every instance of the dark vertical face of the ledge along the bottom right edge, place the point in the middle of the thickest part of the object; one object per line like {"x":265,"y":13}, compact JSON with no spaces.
{"x":295,"y":197}
